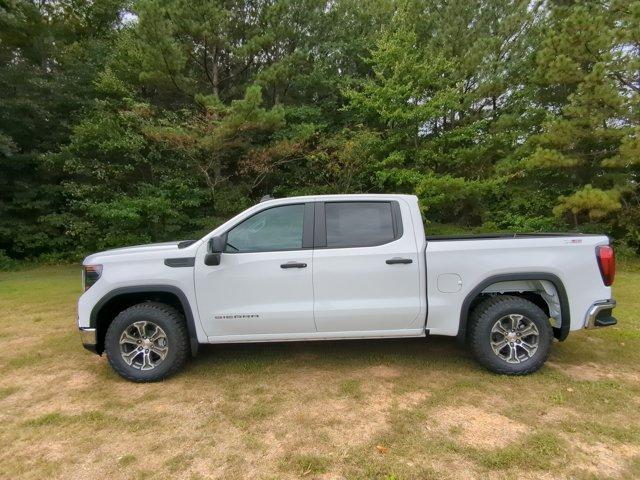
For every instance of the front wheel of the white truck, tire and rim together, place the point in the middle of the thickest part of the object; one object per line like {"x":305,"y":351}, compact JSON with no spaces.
{"x":147,"y":342}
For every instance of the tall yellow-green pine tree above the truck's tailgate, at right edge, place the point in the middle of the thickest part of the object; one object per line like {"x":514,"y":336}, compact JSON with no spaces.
{"x":586,"y":84}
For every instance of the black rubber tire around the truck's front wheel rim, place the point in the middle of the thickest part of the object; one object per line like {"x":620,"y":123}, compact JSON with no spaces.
{"x":176,"y":341}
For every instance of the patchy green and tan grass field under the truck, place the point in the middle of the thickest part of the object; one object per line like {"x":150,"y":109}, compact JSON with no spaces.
{"x":372,"y":409}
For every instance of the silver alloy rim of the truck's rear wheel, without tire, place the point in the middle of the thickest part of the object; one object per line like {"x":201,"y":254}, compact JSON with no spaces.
{"x":514,"y":338}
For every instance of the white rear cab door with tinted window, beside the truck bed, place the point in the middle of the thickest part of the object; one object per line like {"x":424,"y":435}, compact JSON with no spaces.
{"x":366,"y":275}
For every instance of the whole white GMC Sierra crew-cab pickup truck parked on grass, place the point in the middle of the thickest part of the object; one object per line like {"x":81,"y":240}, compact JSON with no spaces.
{"x":332,"y":267}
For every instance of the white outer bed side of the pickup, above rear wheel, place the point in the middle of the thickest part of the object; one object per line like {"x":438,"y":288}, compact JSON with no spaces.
{"x":455,"y":266}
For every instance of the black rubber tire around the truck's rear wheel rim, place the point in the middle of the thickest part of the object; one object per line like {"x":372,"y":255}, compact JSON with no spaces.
{"x":486,"y":316}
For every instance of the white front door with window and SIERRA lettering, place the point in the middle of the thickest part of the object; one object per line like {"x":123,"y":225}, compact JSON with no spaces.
{"x":263,"y":285}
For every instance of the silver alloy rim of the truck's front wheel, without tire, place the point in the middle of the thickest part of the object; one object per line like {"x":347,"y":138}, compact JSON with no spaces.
{"x":143,"y":345}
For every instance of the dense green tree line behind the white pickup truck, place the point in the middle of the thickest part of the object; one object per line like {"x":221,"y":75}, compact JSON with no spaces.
{"x":131,"y":122}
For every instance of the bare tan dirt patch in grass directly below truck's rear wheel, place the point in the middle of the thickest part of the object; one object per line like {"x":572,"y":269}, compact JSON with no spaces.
{"x":478,"y":427}
